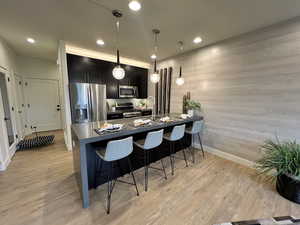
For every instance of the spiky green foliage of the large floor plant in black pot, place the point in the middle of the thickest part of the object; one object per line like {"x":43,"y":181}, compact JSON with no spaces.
{"x":282,"y":157}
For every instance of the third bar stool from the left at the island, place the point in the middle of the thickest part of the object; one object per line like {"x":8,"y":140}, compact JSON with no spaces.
{"x":176,"y":135}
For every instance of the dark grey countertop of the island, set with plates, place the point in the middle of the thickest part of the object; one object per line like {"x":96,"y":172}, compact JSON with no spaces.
{"x":85,"y":132}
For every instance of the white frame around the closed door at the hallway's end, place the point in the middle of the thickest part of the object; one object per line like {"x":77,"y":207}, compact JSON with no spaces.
{"x":27,"y":102}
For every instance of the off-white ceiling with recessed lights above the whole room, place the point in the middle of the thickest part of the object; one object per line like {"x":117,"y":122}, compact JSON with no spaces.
{"x":81,"y":23}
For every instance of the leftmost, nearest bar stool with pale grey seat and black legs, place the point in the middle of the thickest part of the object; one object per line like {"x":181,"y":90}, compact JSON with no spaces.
{"x":114,"y":151}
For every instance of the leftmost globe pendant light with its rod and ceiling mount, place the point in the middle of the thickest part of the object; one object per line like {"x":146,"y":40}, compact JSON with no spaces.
{"x":118,"y":72}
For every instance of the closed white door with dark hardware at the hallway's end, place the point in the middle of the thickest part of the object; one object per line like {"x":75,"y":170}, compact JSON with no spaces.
{"x":42,"y":99}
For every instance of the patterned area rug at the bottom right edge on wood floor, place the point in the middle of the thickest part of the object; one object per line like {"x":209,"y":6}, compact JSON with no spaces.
{"x":283,"y":220}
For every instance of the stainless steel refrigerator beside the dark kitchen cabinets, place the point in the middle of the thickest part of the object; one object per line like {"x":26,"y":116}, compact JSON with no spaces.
{"x":88,"y":102}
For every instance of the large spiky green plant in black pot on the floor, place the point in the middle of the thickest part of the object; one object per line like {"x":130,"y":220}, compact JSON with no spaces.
{"x":283,"y":159}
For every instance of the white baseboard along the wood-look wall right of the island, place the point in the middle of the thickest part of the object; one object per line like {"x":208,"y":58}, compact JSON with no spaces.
{"x":227,"y":156}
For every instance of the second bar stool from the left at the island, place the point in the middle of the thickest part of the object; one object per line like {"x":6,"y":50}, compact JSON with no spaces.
{"x":153,"y":140}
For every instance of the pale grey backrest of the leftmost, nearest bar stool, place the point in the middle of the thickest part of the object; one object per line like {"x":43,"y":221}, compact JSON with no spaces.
{"x":118,"y":149}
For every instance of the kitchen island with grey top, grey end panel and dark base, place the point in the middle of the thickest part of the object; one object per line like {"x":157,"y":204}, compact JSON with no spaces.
{"x":86,"y":141}
